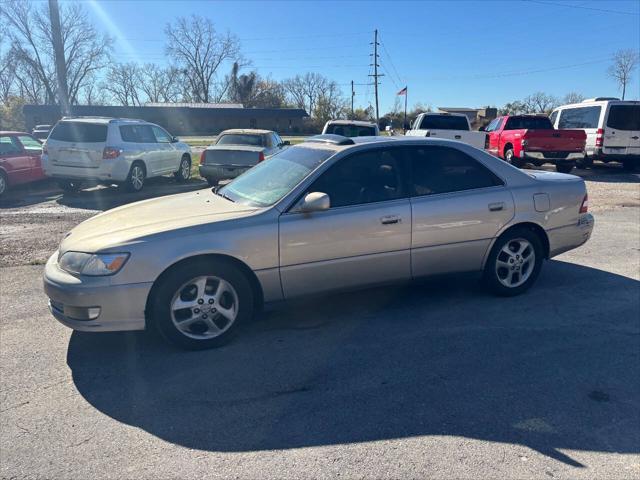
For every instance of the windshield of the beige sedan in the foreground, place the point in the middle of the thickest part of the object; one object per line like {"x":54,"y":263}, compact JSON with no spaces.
{"x":269,"y":181}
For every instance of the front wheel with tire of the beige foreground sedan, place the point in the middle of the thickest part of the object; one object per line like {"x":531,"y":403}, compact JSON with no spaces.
{"x":200,"y":304}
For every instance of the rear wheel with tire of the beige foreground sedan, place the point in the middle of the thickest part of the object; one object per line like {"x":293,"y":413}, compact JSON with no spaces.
{"x":514,"y":262}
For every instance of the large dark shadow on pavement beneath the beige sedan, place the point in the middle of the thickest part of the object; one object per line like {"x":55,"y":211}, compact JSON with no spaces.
{"x":557,"y":368}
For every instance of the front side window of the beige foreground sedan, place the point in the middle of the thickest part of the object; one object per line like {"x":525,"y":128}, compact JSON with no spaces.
{"x":367,"y":177}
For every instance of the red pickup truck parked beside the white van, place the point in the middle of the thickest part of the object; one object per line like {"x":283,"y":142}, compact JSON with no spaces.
{"x":519,"y":139}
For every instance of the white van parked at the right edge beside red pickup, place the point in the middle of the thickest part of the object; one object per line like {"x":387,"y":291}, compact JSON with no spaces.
{"x":612,"y":127}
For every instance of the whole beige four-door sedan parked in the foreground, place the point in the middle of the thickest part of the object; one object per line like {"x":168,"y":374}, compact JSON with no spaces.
{"x":330,"y":214}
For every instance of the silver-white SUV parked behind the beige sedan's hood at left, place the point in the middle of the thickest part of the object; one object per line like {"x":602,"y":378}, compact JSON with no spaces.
{"x":112,"y":150}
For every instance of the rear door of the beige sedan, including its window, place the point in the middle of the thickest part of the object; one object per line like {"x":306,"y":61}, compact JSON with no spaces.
{"x":457,"y":206}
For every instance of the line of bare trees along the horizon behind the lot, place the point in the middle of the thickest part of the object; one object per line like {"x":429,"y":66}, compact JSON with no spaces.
{"x":205,"y":66}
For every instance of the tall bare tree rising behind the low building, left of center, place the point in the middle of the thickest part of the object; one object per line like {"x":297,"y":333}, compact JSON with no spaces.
{"x":197,"y":48}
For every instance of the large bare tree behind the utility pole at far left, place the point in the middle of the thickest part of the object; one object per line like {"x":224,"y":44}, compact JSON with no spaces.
{"x":29,"y":31}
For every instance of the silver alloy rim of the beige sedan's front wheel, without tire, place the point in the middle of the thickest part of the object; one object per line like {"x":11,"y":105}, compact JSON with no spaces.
{"x":204,"y":307}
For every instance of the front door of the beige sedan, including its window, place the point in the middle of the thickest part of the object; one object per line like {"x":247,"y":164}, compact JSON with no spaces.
{"x":362,"y":239}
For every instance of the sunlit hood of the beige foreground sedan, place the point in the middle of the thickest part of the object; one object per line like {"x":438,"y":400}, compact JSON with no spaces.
{"x":136,"y":221}
